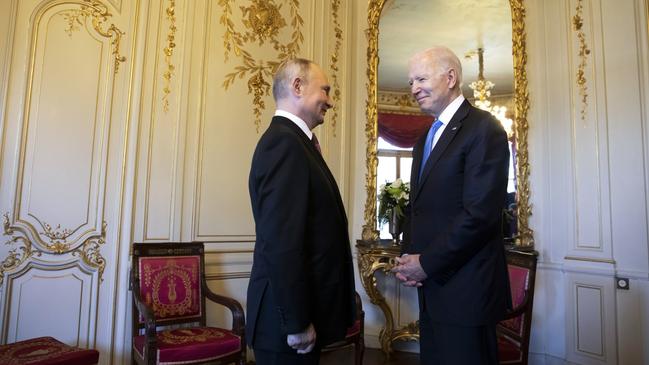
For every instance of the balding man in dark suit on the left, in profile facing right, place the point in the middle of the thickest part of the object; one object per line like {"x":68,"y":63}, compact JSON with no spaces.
{"x":301,"y":290}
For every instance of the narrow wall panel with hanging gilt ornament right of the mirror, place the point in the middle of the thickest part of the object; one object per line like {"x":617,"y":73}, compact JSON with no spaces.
{"x":592,"y":192}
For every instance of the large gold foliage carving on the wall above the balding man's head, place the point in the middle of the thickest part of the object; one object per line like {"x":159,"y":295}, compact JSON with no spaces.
{"x":264,"y":21}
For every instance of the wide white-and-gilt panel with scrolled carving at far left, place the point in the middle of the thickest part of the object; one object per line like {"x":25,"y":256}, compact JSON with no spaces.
{"x":62,"y":166}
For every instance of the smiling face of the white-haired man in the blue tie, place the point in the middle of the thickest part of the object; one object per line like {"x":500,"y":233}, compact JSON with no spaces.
{"x":430,"y":87}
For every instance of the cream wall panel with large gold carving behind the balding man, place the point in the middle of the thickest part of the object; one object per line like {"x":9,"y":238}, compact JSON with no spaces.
{"x":236,"y":106}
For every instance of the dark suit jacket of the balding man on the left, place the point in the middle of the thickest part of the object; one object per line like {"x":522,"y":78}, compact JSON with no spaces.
{"x":302,"y":271}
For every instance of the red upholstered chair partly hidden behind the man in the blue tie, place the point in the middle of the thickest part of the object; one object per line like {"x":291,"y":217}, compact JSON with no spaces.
{"x":514,"y":330}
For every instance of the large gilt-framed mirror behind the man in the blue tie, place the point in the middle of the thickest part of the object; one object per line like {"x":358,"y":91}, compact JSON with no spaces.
{"x":489,"y":38}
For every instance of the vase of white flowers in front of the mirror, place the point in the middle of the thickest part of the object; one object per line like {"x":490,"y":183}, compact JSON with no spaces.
{"x":393,"y":198}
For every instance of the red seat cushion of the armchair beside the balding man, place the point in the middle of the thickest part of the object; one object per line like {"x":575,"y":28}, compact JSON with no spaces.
{"x":191,"y":345}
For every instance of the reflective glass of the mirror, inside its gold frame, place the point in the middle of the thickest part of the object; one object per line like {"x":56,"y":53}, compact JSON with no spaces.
{"x":480,"y":33}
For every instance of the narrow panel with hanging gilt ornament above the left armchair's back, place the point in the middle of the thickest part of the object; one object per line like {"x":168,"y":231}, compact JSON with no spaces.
{"x":162,"y":122}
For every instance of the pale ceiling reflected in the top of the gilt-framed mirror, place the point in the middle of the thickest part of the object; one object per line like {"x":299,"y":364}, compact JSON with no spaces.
{"x":409,"y":26}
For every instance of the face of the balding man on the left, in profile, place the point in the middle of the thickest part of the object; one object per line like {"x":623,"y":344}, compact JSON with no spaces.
{"x":315,"y":97}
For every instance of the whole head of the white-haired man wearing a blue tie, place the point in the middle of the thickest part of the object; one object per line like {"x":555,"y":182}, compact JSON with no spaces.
{"x":433,"y":84}
